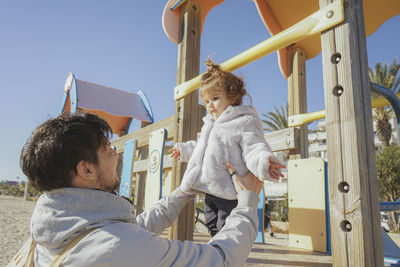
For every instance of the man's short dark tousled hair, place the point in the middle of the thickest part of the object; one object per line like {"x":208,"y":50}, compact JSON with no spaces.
{"x":50,"y":156}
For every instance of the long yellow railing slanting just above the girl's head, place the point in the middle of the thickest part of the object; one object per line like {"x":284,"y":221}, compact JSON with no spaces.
{"x":317,"y":22}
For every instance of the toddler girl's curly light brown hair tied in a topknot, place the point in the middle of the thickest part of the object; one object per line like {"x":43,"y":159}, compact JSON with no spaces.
{"x":217,"y":79}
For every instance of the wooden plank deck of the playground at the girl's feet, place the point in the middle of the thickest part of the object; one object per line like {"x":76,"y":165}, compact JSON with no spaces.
{"x":275,"y":252}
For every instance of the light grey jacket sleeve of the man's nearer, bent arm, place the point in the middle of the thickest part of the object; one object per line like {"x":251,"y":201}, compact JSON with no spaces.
{"x":230,"y":247}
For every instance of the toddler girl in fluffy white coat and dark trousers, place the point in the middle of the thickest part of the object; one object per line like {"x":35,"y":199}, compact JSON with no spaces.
{"x":233,"y":133}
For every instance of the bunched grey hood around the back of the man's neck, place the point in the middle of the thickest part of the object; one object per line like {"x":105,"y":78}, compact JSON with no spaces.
{"x":60,"y":213}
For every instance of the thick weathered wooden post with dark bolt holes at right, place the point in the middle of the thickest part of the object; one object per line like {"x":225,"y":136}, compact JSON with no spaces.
{"x":353,"y":187}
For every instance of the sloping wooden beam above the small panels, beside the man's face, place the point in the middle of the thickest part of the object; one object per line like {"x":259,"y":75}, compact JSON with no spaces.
{"x":142,"y":135}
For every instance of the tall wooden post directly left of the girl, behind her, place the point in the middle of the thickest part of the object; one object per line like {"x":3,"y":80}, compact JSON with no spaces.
{"x":187,"y":122}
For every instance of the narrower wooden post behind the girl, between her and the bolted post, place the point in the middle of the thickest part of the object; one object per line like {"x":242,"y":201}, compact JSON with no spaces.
{"x":297,"y":97}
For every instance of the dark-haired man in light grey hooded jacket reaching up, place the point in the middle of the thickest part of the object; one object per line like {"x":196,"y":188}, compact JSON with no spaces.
{"x":70,"y":160}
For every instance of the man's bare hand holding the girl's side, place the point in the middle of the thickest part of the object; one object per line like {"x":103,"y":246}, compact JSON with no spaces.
{"x":248,"y":182}
